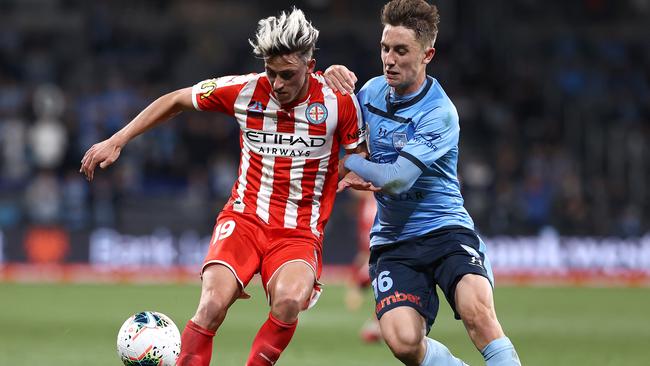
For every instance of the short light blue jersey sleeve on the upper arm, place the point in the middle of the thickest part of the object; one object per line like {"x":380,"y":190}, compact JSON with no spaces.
{"x":435,"y":134}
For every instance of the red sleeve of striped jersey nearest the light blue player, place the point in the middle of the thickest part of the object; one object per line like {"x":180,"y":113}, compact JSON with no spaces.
{"x":350,"y":129}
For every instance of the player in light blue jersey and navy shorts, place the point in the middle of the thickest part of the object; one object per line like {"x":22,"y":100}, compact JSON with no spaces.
{"x":422,"y":235}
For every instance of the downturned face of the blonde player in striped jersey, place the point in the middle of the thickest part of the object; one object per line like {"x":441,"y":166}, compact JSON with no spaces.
{"x":288,"y":75}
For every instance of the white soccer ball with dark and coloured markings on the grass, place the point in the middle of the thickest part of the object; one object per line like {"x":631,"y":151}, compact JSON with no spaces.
{"x":148,"y":339}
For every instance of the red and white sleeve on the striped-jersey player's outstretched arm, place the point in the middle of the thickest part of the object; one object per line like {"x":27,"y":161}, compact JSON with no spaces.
{"x":219,"y":94}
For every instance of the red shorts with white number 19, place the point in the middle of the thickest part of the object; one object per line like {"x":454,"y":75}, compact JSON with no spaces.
{"x":246,"y":245}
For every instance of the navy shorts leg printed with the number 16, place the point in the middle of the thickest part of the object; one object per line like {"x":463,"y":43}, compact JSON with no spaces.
{"x":397,"y":282}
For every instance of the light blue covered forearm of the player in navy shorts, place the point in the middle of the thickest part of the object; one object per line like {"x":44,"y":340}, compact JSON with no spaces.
{"x":394,"y":178}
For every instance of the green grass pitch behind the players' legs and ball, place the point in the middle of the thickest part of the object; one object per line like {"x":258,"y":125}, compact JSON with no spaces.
{"x":77,"y":325}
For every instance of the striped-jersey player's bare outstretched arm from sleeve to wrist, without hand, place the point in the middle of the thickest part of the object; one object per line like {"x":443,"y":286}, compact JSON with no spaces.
{"x":161,"y":110}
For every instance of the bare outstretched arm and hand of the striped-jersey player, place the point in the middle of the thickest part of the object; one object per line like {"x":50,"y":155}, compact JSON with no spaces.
{"x":162,"y":109}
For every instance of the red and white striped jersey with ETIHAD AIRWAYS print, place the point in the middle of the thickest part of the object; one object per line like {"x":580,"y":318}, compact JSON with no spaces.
{"x":288,"y":170}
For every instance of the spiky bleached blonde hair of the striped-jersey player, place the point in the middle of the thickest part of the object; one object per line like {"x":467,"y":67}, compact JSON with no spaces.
{"x":285,"y":34}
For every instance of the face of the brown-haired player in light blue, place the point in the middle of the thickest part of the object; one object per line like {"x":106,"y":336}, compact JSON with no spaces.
{"x":404,"y":59}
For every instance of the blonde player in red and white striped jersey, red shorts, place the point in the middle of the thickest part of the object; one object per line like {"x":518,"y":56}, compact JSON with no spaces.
{"x":292,"y":126}
